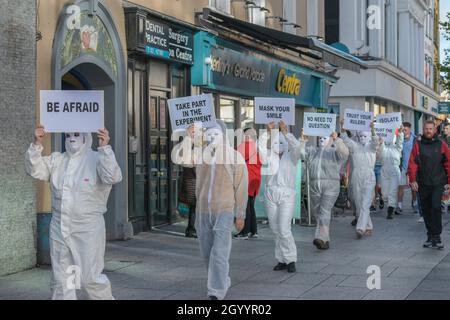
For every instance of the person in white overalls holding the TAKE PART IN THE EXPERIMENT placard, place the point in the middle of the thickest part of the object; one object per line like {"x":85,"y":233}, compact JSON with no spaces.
{"x":221,"y":191}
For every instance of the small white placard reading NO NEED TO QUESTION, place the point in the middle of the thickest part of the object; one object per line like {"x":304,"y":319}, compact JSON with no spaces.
{"x":319,"y":124}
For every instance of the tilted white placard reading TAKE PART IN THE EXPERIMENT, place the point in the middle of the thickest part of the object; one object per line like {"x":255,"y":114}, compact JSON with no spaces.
{"x":188,"y":110}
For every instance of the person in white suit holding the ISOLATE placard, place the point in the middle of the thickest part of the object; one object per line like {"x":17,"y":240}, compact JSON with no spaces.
{"x":391,"y":154}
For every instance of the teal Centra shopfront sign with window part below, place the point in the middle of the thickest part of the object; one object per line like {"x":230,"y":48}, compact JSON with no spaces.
{"x":236,"y":74}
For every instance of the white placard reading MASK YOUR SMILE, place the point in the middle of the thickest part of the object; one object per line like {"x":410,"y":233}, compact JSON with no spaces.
{"x":269,"y":110}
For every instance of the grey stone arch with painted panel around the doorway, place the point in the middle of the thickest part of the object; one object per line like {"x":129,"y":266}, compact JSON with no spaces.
{"x":87,"y":40}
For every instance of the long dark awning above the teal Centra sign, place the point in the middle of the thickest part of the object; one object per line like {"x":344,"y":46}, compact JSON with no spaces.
{"x":286,"y":40}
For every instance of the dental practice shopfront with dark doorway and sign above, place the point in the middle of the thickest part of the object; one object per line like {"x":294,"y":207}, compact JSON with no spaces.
{"x":160,"y":56}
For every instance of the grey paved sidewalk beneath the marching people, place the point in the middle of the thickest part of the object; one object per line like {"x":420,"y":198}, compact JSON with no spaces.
{"x":156,"y":265}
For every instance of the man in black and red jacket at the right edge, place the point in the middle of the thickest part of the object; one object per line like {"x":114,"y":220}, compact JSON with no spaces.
{"x":429,"y":174}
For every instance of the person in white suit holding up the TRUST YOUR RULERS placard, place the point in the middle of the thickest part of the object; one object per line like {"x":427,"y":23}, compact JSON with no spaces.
{"x":363,"y":156}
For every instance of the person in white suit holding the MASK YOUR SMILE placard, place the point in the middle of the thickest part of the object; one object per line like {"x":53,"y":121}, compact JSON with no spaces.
{"x":280,"y":195}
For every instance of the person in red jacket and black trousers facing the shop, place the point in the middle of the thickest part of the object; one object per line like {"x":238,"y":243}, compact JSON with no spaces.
{"x":249,"y":151}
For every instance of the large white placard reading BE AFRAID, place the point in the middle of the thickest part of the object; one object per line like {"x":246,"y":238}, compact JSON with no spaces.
{"x":72,"y":110}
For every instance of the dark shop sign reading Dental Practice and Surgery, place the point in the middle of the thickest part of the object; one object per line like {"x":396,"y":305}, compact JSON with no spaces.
{"x":159,"y":38}
